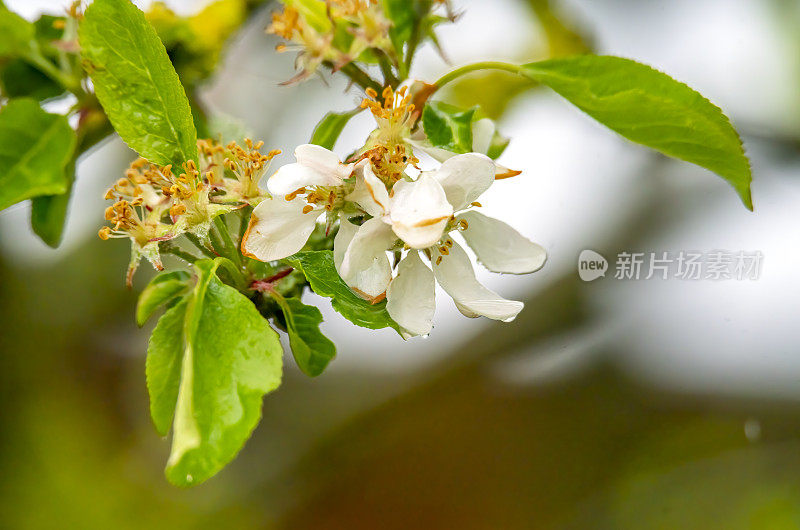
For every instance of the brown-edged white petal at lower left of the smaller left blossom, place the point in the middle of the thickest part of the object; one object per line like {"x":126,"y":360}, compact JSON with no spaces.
{"x":277,"y":229}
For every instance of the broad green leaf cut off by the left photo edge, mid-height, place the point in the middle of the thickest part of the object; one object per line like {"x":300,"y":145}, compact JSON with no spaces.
{"x":34,"y":150}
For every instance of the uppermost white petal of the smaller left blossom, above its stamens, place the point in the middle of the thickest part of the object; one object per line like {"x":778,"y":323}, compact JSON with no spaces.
{"x":315,"y":166}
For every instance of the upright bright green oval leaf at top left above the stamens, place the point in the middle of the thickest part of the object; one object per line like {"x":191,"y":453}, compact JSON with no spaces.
{"x":136,"y":82}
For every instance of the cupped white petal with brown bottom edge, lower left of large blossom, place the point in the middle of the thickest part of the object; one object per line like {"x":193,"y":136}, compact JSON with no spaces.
{"x":363,"y":265}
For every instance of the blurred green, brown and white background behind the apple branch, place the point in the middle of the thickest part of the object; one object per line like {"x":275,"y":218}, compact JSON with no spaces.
{"x":606,"y":405}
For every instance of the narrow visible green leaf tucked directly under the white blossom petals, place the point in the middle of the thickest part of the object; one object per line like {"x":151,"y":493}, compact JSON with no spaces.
{"x":320,"y":271}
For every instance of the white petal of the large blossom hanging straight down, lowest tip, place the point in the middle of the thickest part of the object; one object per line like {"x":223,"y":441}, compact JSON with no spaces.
{"x":410,"y":298}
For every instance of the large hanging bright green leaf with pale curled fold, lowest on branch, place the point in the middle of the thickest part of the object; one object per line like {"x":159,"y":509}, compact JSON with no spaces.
{"x":211,"y":359}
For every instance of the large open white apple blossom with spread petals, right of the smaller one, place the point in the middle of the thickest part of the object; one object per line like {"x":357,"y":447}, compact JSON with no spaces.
{"x":420,"y":214}
